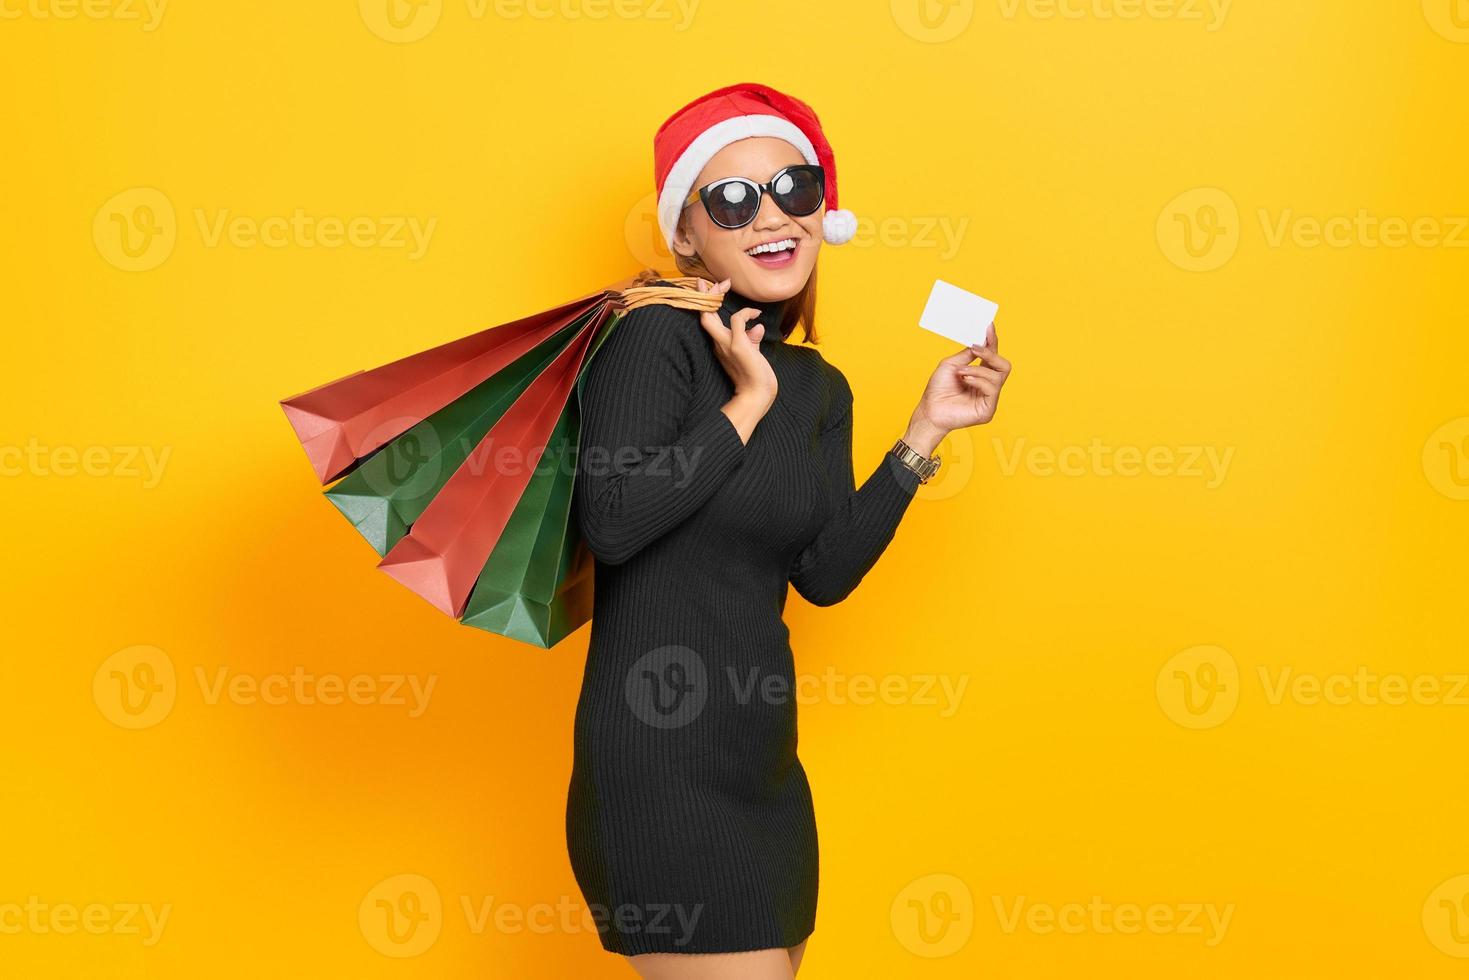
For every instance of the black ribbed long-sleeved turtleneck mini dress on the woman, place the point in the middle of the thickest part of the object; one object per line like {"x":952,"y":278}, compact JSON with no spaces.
{"x":690,"y":821}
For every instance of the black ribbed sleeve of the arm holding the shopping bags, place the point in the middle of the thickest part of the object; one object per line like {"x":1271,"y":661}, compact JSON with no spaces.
{"x":644,"y":466}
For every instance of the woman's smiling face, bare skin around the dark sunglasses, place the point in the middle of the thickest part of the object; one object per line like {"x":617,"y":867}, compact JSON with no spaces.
{"x":726,"y":251}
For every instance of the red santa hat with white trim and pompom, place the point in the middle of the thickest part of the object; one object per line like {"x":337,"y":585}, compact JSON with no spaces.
{"x":693,"y":136}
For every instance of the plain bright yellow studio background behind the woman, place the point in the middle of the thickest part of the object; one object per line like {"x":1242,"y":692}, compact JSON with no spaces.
{"x":1080,"y":760}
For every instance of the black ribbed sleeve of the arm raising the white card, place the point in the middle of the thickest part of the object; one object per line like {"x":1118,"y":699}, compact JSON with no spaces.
{"x":863,"y":521}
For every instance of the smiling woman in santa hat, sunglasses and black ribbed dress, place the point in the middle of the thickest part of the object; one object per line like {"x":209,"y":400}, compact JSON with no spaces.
{"x":715,"y":471}
